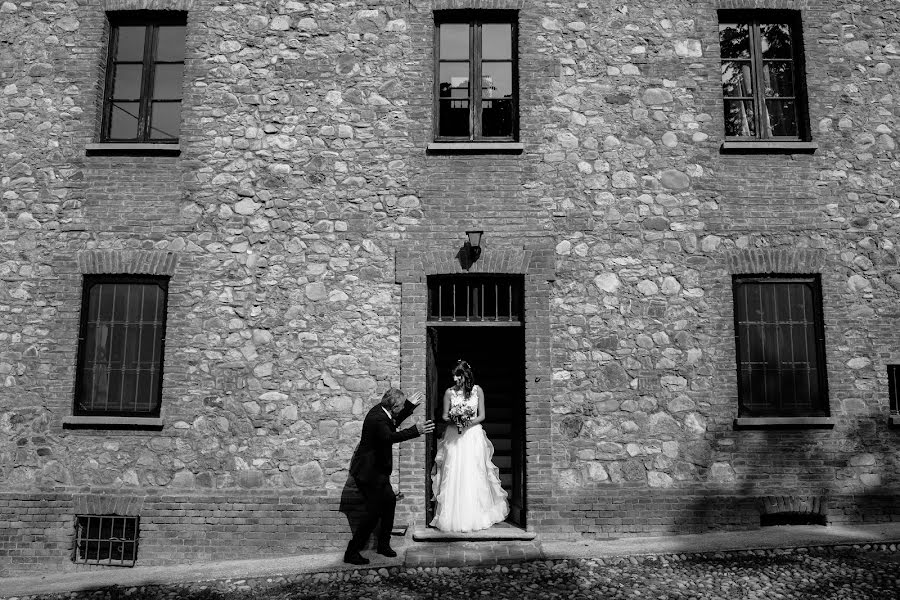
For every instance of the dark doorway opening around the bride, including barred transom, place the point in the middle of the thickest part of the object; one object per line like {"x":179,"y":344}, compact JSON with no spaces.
{"x":492,"y":341}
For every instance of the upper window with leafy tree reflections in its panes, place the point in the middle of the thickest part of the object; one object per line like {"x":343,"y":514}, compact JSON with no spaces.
{"x":763,"y":75}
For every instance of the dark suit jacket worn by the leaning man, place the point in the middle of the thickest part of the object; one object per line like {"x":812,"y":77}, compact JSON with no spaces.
{"x":373,"y":459}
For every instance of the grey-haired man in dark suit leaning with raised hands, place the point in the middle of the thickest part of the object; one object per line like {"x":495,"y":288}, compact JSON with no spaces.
{"x":371,"y":468}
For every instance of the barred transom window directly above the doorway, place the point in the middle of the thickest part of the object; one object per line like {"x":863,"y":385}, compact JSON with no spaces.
{"x":472,"y":299}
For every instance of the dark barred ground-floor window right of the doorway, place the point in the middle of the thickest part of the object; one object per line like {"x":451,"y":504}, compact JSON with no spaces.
{"x":780,"y":347}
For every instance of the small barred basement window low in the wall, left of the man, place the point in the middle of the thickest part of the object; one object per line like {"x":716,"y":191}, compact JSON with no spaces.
{"x":106,"y":540}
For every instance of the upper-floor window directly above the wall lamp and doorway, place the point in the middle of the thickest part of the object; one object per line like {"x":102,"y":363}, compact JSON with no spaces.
{"x":476,"y":81}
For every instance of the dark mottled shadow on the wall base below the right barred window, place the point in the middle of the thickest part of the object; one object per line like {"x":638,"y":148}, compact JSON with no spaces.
{"x":800,"y":476}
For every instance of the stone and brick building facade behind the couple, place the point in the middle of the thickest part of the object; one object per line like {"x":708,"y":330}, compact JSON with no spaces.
{"x":307,"y":209}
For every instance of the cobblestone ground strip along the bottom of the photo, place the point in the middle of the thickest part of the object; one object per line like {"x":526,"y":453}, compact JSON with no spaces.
{"x":746,"y":575}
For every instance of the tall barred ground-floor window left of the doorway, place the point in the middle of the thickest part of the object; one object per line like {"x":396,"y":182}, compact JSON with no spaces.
{"x":120,"y":347}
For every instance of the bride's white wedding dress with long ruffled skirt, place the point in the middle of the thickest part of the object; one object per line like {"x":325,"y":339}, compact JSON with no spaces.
{"x":465,"y":483}
